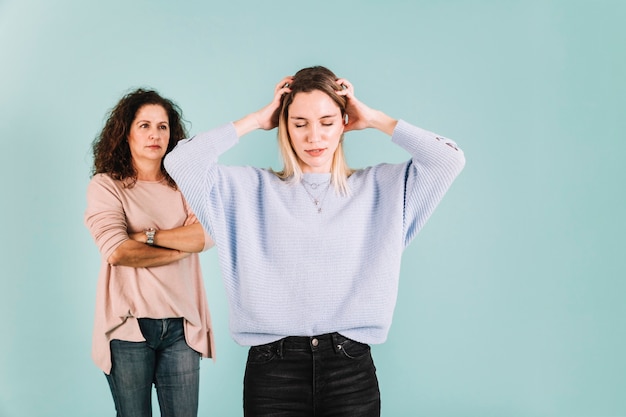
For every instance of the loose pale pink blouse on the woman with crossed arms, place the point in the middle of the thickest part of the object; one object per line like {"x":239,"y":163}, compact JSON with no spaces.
{"x":124,"y":293}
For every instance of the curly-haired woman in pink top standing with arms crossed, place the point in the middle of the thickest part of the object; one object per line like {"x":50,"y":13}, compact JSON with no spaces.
{"x":152,"y":321}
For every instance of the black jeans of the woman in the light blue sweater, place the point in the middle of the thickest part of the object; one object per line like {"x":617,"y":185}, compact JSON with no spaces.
{"x":327,"y":375}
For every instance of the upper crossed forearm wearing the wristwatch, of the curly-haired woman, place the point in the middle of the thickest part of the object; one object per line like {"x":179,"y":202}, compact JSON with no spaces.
{"x":190,"y":238}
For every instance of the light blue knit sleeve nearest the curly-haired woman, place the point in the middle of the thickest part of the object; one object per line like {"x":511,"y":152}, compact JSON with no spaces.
{"x":193,"y":165}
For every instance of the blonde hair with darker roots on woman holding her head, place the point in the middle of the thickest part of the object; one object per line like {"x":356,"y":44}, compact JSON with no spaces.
{"x":305,"y":81}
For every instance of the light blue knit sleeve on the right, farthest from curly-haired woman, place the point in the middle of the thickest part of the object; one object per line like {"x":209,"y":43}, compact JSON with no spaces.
{"x":435,"y":163}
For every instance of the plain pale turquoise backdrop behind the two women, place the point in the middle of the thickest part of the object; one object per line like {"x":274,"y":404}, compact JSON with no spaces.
{"x":511,"y":300}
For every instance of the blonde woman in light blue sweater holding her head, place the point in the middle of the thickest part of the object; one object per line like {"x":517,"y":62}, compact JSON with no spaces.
{"x":310,"y":255}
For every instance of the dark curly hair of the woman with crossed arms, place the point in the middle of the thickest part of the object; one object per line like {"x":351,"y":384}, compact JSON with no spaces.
{"x":111,"y":152}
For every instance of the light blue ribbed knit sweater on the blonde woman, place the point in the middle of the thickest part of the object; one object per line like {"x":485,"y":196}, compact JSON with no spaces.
{"x":290,"y":270}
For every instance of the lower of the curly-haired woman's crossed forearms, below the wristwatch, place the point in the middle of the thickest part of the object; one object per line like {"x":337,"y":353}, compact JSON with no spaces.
{"x":138,"y":255}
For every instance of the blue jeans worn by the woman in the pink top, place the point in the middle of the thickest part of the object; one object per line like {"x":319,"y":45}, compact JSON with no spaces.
{"x":164,"y":360}
